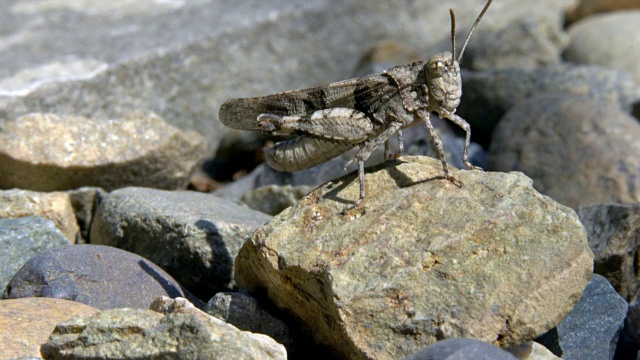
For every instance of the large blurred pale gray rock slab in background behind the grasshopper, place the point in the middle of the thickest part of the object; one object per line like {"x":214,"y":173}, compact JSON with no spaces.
{"x":182,"y":59}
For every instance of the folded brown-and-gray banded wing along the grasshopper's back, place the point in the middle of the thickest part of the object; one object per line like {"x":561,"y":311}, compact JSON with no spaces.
{"x":367,"y":94}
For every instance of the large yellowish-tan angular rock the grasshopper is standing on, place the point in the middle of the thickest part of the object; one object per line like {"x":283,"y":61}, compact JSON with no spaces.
{"x":493,"y":260}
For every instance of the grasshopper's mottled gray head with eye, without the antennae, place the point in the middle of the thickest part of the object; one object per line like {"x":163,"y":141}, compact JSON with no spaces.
{"x":443,"y":81}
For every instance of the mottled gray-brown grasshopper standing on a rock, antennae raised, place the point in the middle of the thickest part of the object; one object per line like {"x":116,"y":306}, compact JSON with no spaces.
{"x":329,"y":120}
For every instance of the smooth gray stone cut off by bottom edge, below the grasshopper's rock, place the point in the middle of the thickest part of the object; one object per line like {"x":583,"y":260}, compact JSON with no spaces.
{"x":461,"y":349}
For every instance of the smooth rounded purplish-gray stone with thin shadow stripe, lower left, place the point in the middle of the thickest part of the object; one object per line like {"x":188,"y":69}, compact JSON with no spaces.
{"x":99,"y":276}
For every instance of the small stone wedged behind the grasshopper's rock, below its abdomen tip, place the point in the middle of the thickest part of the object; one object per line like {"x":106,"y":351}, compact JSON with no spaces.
{"x":272,"y":199}
